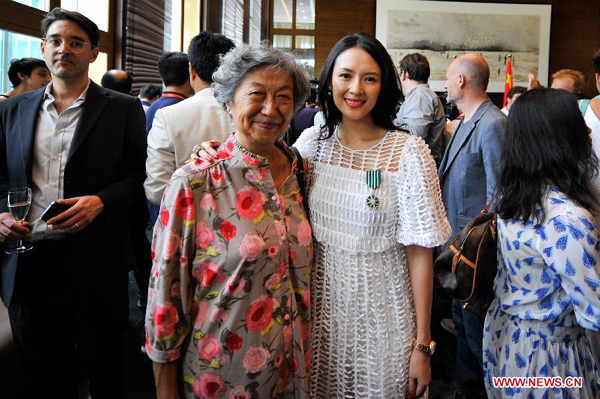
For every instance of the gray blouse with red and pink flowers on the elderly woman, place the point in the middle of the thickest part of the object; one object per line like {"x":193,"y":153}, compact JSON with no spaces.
{"x":229,"y":291}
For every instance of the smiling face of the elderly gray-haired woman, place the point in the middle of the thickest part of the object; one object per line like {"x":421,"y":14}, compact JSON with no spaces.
{"x":262,"y":108}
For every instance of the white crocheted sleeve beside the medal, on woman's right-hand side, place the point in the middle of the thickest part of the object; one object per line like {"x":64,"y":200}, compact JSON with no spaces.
{"x":422,"y":219}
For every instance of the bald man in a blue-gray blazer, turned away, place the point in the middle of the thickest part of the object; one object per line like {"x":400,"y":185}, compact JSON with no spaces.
{"x":468,"y":174}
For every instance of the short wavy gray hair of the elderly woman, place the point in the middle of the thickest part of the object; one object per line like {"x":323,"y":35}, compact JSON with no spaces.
{"x":238,"y":62}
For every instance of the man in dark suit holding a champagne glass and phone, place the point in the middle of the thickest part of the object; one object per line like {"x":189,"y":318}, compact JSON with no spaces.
{"x":85,"y":146}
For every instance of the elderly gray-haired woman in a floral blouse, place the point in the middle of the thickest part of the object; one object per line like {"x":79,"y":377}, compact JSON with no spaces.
{"x":228,"y":304}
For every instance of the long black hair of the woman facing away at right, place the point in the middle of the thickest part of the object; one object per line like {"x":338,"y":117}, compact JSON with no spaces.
{"x":547,"y":143}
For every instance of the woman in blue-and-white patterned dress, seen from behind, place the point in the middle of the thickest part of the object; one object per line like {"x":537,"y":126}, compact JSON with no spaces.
{"x":548,"y":285}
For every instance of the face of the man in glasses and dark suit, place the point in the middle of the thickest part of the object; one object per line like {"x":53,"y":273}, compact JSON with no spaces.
{"x":61,"y":61}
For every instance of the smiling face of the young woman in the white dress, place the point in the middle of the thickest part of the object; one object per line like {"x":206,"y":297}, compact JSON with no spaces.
{"x":355,"y":83}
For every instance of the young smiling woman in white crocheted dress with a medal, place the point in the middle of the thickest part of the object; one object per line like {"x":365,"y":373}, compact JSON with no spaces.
{"x":376,"y":212}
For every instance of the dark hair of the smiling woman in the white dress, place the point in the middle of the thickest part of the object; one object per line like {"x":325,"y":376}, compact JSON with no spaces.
{"x":387,"y":105}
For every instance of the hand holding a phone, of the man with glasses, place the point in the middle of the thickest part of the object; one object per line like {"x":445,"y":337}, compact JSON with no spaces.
{"x":82,"y":212}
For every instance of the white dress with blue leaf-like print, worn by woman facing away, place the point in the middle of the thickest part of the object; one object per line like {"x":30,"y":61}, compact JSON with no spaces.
{"x":547,"y":294}
